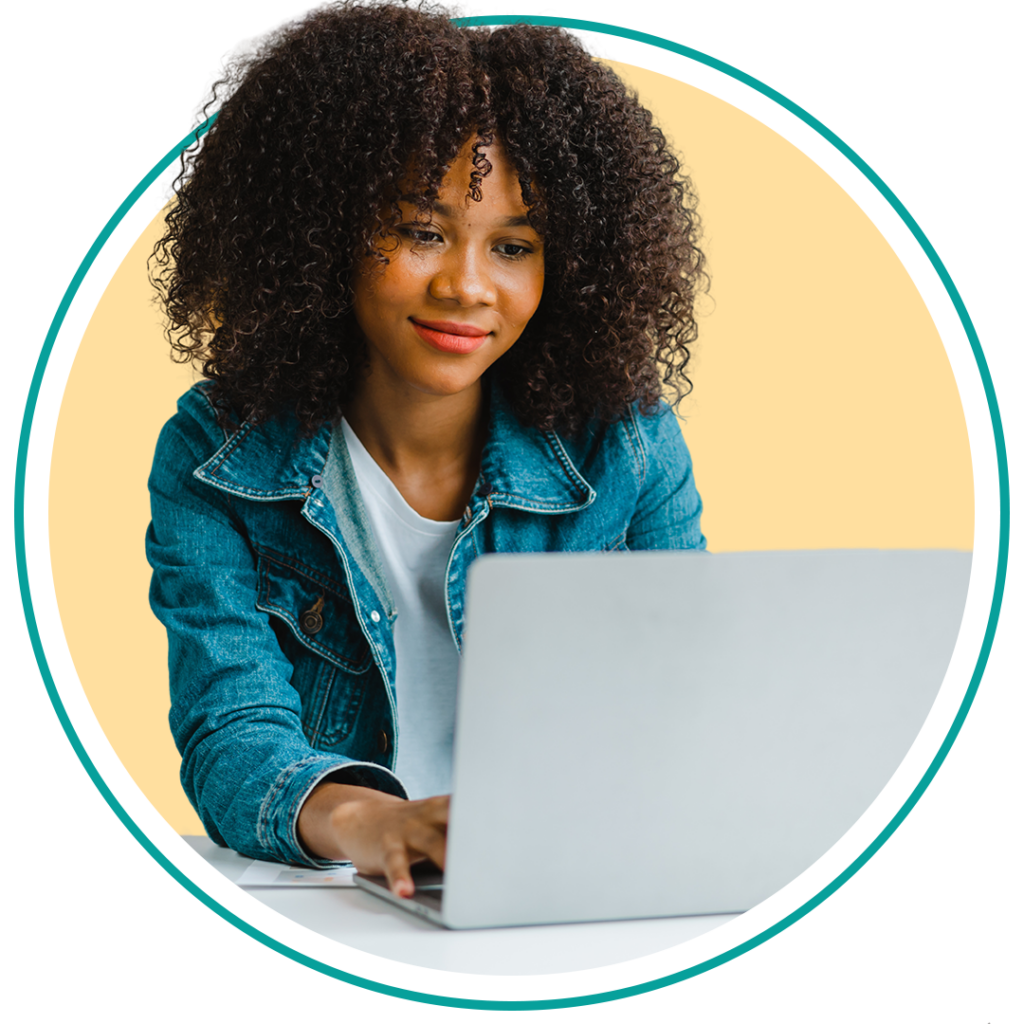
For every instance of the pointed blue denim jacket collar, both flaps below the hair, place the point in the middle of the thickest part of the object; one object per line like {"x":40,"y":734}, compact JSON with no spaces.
{"x":522,"y":467}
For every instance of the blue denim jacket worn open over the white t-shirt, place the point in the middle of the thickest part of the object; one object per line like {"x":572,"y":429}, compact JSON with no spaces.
{"x":279,"y":619}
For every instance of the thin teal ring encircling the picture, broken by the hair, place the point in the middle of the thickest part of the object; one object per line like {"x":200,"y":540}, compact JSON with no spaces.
{"x":611,"y":996}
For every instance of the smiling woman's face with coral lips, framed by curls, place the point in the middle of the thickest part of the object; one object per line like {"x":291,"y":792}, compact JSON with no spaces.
{"x":457,"y":293}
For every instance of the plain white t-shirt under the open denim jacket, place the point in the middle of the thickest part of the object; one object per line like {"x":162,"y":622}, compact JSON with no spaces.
{"x":415,"y":552}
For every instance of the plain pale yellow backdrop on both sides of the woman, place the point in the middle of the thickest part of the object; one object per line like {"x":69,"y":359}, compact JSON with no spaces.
{"x":826,"y":412}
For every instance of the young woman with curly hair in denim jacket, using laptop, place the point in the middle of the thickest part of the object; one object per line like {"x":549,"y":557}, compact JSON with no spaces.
{"x":437,"y":279}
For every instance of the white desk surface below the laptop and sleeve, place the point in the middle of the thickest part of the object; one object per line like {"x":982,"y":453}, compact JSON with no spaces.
{"x":360,"y":921}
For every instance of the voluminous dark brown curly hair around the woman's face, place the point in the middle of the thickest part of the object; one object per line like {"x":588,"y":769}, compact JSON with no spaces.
{"x":296,"y":184}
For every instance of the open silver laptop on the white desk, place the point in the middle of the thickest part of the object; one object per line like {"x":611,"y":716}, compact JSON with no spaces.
{"x":709,"y":727}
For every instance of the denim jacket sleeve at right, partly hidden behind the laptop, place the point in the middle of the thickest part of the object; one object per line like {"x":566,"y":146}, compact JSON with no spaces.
{"x":668,"y":513}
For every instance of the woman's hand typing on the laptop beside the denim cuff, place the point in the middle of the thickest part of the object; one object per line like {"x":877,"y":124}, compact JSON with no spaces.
{"x":381,"y":834}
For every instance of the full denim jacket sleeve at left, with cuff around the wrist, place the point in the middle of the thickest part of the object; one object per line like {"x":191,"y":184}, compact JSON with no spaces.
{"x":247,"y":766}
